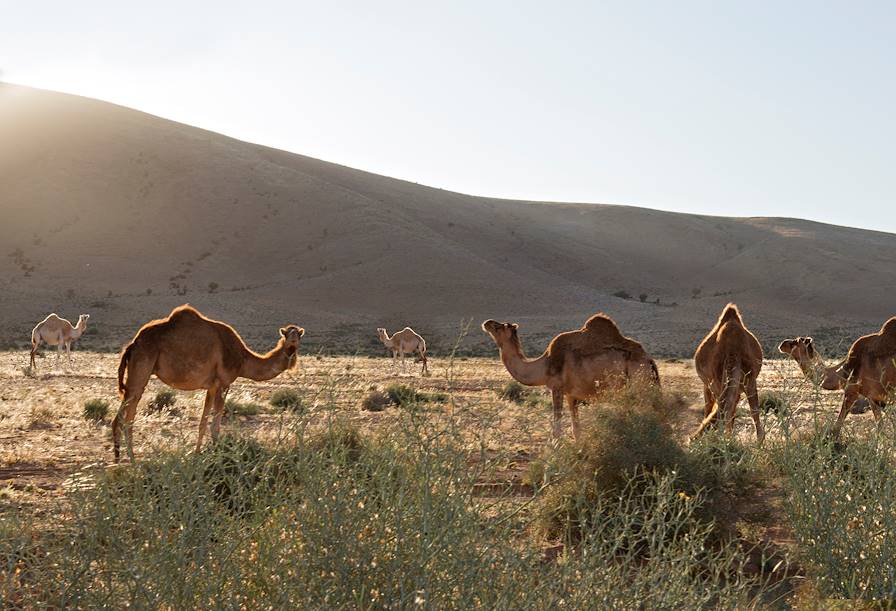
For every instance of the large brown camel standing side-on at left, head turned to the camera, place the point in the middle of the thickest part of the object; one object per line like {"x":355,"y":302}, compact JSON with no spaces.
{"x":188,"y":351}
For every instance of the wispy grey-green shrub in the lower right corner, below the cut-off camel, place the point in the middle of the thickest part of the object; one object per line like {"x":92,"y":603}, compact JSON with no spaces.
{"x":841,"y":505}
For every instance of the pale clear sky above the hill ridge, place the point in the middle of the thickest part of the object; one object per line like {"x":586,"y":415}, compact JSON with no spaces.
{"x":732,"y":108}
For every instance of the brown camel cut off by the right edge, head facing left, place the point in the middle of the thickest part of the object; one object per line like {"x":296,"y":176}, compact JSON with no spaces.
{"x":869,"y":370}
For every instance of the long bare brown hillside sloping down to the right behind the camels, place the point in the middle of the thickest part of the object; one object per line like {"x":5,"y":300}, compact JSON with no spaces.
{"x":124,"y":215}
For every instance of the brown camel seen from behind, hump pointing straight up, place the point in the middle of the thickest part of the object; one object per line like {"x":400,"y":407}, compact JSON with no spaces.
{"x":728,"y":361}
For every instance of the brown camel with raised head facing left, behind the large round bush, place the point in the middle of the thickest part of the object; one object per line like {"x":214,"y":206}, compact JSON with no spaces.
{"x":577,"y":365}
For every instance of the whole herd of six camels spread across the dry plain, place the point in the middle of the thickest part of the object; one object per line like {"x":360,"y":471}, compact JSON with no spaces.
{"x":189,"y":351}
